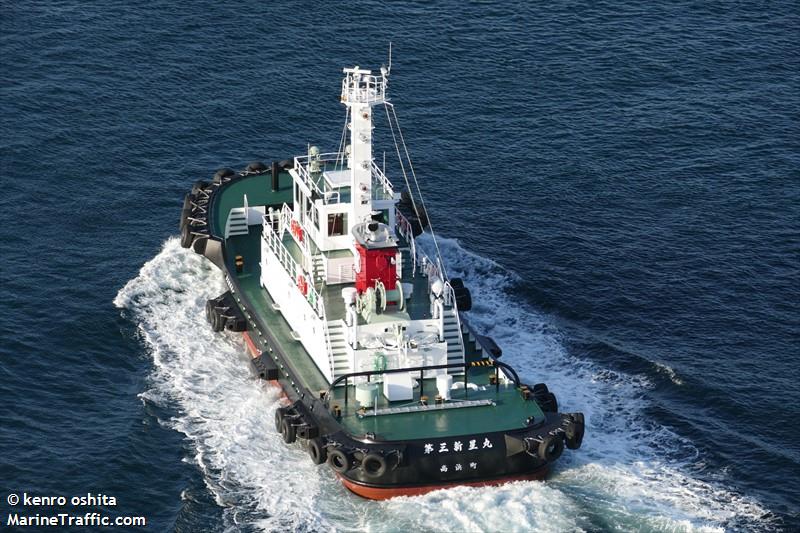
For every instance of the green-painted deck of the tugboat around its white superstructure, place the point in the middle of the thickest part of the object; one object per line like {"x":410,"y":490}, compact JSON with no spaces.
{"x":510,"y":411}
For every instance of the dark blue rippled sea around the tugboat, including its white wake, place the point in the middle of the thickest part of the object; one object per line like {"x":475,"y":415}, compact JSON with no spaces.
{"x":617,"y":183}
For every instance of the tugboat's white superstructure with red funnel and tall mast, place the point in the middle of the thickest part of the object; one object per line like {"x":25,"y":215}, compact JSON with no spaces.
{"x":334,"y":264}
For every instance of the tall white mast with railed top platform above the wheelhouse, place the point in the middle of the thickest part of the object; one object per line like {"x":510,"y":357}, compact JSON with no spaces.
{"x":360,"y":91}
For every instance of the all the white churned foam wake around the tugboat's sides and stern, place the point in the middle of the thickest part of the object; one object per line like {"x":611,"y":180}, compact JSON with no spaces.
{"x":627,"y":476}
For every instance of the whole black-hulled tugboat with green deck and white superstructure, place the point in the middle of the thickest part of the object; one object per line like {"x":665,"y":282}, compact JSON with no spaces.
{"x":383,"y":377}
